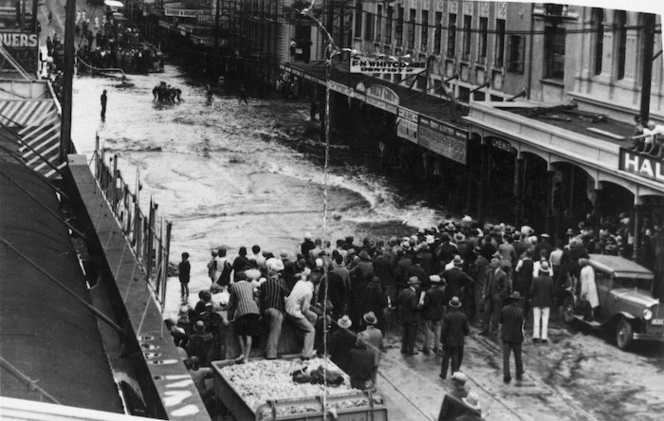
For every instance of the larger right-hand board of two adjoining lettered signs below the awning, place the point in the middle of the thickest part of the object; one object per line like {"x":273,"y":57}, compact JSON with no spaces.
{"x":442,"y":138}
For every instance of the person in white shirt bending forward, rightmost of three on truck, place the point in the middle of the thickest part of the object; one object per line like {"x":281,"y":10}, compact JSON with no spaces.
{"x":299,"y":313}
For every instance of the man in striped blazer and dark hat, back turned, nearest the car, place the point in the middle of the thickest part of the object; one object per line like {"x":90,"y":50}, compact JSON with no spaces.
{"x":512,"y":318}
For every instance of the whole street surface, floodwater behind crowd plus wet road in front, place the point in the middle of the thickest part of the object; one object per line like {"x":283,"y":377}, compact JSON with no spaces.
{"x":236,"y":175}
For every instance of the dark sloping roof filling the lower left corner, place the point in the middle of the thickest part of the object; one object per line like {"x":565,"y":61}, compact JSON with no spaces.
{"x":44,"y":332}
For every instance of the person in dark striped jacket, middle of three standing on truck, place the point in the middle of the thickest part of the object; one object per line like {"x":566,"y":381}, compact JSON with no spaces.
{"x":272,"y":294}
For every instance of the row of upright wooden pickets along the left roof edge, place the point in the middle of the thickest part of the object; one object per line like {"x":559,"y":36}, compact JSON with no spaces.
{"x":149,"y":236}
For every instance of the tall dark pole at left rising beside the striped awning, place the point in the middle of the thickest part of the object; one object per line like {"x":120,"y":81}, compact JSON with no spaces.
{"x":68,"y":77}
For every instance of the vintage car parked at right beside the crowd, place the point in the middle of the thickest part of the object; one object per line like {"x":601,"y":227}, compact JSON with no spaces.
{"x":627,"y":311}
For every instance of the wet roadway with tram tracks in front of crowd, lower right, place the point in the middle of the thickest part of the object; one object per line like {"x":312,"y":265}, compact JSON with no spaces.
{"x":577,"y":376}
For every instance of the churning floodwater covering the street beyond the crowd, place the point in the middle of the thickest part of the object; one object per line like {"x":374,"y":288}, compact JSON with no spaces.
{"x":230,"y":174}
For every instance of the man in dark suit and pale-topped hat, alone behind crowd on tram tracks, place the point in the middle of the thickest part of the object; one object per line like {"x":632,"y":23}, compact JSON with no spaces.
{"x":455,"y":329}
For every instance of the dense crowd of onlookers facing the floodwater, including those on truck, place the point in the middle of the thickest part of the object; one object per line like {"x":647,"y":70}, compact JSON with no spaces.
{"x":437,"y":283}
